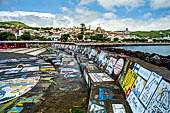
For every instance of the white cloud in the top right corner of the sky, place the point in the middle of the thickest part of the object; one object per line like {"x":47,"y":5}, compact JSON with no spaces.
{"x":156,"y":4}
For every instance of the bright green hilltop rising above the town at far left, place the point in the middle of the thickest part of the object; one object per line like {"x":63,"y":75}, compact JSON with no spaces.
{"x":15,"y":23}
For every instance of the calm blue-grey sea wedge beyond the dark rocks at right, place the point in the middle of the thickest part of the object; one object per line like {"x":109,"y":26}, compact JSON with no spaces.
{"x":162,"y":50}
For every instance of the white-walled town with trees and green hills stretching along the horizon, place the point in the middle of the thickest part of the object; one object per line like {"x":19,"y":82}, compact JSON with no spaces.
{"x":19,"y":31}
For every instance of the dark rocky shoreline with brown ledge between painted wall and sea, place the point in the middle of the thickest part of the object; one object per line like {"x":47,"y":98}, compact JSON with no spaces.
{"x":153,"y":62}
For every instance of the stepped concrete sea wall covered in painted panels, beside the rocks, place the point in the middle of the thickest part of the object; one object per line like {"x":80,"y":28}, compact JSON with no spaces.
{"x":108,"y":74}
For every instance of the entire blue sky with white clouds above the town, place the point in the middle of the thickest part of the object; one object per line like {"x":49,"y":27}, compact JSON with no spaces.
{"x":111,"y":15}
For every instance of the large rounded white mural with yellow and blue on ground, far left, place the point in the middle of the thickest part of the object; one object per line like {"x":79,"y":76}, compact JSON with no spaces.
{"x":13,"y":88}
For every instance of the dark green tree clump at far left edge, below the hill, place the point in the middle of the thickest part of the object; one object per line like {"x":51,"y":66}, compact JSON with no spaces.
{"x":6,"y":36}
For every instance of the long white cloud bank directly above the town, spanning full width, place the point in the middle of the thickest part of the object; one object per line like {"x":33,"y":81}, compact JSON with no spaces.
{"x":83,"y":15}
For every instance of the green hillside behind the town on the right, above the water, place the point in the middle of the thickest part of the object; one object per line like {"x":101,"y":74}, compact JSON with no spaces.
{"x":152,"y":34}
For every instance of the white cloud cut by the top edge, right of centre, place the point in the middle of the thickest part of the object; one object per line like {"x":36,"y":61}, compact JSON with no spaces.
{"x":129,"y":4}
